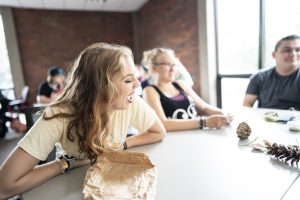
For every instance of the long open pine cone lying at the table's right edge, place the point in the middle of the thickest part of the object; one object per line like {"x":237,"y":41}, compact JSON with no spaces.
{"x":284,"y":153}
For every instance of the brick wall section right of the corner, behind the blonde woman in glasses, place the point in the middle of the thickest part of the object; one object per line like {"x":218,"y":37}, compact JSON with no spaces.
{"x":173,"y":24}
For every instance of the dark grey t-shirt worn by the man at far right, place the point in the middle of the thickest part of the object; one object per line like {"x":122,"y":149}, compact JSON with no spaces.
{"x":276,"y":91}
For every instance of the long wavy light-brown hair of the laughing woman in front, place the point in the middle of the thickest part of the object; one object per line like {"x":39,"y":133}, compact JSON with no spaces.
{"x":89,"y":93}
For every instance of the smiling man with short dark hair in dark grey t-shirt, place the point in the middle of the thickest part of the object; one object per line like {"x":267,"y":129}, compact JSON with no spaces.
{"x":278,"y":87}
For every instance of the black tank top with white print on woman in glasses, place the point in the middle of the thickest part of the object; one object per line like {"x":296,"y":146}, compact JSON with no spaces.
{"x":177,"y":109}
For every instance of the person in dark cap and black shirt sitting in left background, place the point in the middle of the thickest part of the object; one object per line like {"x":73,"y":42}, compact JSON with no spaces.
{"x":48,"y":90}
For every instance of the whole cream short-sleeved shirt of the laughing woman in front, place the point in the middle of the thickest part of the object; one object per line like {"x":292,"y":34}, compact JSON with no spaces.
{"x":41,"y":138}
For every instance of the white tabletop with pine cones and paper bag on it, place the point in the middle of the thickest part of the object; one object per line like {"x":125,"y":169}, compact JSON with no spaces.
{"x":204,"y":164}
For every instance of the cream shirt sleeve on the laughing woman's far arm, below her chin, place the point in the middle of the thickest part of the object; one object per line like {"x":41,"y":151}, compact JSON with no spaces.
{"x":143,"y":115}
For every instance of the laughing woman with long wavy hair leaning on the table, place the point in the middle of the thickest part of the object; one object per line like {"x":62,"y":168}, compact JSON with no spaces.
{"x":90,"y":115}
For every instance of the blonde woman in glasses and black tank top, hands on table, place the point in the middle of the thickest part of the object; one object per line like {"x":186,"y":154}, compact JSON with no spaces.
{"x":174,"y":101}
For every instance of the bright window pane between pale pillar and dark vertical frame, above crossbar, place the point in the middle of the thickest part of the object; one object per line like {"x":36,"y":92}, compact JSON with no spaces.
{"x":238,"y":33}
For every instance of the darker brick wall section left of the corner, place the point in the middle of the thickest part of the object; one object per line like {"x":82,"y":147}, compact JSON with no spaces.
{"x":56,"y":37}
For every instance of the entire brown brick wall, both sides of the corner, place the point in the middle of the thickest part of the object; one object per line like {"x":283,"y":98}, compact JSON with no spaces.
{"x":48,"y":37}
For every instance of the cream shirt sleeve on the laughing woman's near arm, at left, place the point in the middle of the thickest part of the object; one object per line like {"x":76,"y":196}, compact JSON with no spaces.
{"x":40,"y":139}
